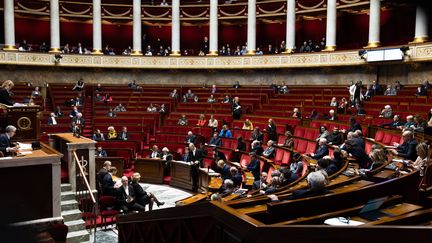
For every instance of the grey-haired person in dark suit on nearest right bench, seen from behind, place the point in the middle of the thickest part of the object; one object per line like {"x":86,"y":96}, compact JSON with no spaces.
{"x":316,"y":183}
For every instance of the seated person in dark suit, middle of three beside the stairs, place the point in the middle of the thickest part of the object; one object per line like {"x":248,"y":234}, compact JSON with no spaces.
{"x":125,"y":197}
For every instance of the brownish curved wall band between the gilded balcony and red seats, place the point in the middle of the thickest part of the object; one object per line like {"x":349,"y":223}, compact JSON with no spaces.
{"x":406,"y":73}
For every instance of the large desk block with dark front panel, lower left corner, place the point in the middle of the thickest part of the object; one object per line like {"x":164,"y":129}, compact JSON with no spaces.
{"x":34,"y":194}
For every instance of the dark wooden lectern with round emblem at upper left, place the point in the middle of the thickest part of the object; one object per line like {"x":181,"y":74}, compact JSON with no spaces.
{"x":25,"y":118}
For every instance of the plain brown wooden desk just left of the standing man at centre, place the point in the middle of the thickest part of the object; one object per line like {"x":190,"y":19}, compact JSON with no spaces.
{"x":151,"y":170}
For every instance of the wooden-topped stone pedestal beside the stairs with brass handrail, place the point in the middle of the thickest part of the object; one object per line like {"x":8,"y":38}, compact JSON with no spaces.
{"x":66,"y":143}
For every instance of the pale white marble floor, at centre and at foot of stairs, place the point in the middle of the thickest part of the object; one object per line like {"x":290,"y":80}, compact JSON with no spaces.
{"x":164,"y":193}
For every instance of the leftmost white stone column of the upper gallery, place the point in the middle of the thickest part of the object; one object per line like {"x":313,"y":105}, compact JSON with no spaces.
{"x":9,"y":25}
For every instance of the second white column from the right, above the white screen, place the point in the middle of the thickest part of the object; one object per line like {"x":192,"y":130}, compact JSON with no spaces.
{"x":374,"y":23}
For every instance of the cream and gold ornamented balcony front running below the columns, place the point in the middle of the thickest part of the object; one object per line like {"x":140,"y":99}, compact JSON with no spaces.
{"x":417,"y":52}
